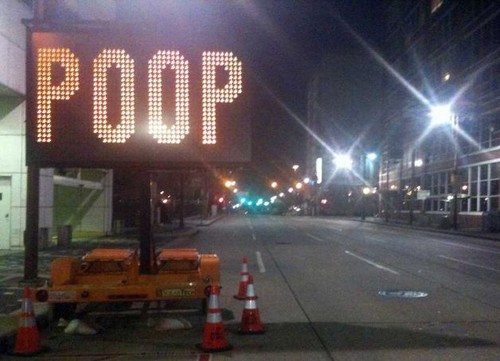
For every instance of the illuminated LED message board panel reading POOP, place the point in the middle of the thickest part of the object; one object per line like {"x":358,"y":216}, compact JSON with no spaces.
{"x":96,"y":100}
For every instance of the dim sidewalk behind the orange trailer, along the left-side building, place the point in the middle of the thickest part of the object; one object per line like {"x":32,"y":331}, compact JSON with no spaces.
{"x":12,"y":268}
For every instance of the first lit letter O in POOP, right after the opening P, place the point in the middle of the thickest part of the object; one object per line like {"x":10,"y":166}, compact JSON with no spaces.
{"x":126,"y":126}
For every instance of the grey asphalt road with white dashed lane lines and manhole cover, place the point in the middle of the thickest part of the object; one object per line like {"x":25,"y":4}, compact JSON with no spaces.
{"x":329,"y":289}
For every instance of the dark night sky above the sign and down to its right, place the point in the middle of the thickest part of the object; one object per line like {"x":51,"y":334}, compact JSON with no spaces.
{"x":282,"y":42}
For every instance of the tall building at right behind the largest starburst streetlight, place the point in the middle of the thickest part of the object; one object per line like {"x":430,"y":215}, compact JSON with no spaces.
{"x":442,"y":52}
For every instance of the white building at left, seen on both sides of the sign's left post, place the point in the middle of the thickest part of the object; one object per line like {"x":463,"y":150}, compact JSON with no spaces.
{"x":81,"y":198}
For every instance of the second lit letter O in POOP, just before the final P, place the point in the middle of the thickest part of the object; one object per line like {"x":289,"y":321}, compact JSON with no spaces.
{"x":157,"y":127}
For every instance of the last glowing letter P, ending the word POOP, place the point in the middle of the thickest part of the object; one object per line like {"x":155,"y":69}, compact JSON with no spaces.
{"x":212,"y":95}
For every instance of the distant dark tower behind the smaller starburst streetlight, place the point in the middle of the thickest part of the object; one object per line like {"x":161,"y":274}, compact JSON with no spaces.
{"x":344,"y":113}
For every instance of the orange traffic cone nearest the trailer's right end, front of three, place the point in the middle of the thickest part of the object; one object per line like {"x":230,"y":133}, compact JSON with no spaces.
{"x":214,"y":339}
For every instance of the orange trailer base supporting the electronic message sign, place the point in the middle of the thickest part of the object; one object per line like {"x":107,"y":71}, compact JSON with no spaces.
{"x":112,"y":275}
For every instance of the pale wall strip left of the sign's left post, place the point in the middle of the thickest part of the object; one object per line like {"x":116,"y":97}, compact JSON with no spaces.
{"x":12,"y":116}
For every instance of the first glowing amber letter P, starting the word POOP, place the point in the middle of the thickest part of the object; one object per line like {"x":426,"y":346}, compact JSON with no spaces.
{"x":48,"y":92}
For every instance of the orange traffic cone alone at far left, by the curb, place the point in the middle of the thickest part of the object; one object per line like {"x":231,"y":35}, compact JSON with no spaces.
{"x":28,"y":337}
